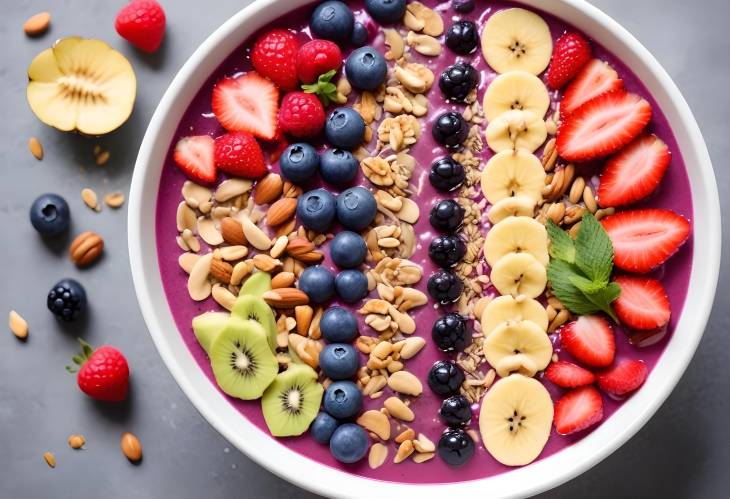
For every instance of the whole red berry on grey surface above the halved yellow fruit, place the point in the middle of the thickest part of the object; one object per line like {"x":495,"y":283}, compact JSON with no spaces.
{"x":142,"y":23}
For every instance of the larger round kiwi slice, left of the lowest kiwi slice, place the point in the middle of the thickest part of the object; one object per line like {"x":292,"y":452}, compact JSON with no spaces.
{"x":242,"y":361}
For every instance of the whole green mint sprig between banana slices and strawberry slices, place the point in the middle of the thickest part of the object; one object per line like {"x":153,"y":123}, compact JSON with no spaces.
{"x":579,"y":270}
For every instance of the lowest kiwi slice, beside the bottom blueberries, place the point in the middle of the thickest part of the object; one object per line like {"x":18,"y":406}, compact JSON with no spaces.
{"x":292,"y":401}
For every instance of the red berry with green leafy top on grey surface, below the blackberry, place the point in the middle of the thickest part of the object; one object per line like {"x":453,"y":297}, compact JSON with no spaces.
{"x":104,"y":373}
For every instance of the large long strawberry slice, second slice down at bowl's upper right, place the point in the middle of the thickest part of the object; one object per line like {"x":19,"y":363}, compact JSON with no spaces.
{"x":602,"y":126}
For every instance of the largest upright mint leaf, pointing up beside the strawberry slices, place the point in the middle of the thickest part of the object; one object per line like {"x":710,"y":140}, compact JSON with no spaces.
{"x":593,"y":250}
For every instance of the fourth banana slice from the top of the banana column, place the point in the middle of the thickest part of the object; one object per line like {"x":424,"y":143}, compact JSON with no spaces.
{"x":513,"y":173}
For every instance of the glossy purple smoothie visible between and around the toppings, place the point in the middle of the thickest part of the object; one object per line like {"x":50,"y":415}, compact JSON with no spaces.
{"x":674,"y":194}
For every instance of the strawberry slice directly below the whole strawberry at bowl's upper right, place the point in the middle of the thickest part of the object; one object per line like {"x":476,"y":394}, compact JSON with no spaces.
{"x":596,"y":78}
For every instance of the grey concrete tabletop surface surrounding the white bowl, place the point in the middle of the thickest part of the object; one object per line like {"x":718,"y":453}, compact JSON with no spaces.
{"x":683,"y":451}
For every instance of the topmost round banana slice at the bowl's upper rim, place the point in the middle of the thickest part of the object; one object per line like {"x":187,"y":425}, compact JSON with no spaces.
{"x":517,"y":39}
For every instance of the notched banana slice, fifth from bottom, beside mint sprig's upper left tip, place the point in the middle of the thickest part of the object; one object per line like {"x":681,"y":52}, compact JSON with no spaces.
{"x":516,"y":235}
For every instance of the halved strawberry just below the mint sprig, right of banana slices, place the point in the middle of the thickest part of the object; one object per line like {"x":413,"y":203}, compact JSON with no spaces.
{"x":590,"y":340}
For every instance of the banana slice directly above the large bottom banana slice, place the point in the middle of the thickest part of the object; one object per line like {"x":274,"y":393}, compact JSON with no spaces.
{"x":521,"y":347}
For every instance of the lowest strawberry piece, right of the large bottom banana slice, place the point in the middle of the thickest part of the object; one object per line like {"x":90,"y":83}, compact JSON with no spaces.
{"x":577,"y":410}
